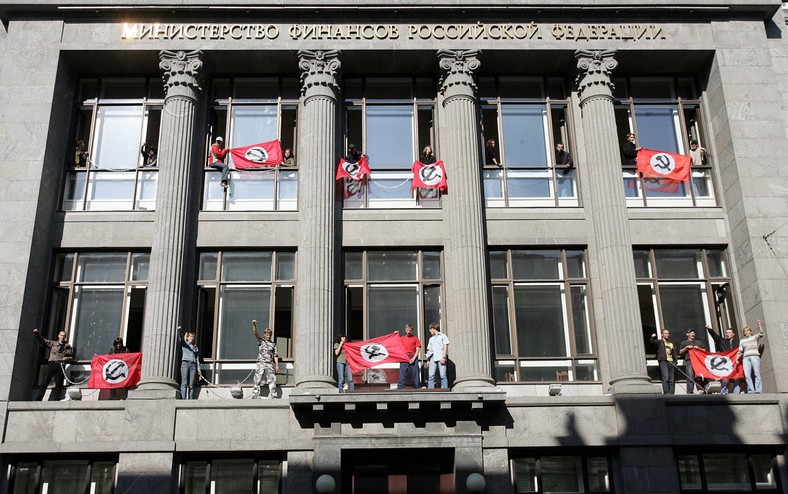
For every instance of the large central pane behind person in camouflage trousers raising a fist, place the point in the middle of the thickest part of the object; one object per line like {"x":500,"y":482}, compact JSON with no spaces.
{"x":239,"y":306}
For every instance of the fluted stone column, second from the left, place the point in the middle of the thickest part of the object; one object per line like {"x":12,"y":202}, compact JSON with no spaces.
{"x":317,"y":243}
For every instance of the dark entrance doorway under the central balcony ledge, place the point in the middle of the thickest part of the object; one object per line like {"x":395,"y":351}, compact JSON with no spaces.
{"x":398,"y":471}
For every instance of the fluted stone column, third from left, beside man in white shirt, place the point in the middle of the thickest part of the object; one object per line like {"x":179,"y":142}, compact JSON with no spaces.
{"x":463,"y":216}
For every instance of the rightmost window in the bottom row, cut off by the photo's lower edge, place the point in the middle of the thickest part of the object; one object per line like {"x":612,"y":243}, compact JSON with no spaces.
{"x":728,"y":472}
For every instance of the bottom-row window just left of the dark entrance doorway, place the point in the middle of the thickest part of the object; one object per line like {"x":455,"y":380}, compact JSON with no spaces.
{"x":259,"y":476}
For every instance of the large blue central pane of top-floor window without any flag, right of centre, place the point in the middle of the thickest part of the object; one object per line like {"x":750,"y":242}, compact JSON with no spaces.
{"x":524,"y":136}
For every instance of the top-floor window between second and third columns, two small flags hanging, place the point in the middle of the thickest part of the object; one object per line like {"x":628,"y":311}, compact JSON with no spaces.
{"x":390,"y":120}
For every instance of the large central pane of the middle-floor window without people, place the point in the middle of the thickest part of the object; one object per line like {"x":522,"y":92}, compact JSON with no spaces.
{"x":540,"y":321}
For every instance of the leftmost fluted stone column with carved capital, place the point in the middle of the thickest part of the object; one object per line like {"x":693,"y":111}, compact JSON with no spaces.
{"x":174,"y":240}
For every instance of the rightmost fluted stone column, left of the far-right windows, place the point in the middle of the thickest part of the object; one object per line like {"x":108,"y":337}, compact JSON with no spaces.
{"x":607,"y":204}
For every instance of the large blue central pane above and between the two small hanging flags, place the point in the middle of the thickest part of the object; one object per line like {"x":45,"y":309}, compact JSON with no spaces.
{"x":390,"y":136}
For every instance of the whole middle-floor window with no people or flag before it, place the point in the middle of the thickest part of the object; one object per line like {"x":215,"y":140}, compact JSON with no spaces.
{"x":541,"y":319}
